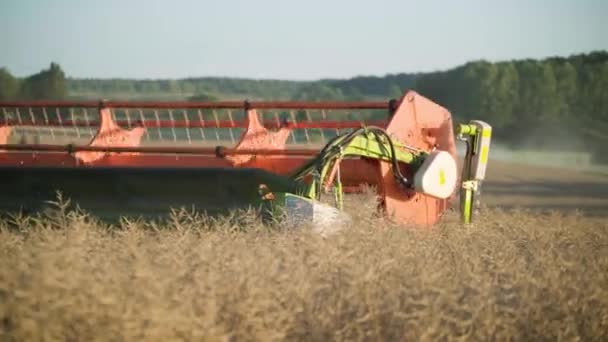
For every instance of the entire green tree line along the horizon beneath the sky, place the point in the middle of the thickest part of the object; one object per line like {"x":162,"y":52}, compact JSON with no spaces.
{"x":557,"y":102}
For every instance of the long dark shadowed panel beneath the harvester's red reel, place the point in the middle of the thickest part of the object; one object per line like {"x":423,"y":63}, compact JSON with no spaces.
{"x":112,"y":192}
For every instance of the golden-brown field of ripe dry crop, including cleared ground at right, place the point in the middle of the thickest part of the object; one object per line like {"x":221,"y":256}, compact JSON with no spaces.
{"x":532,"y":267}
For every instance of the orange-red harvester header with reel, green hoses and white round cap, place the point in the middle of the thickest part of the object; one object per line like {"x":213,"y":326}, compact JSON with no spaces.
{"x":143,"y":158}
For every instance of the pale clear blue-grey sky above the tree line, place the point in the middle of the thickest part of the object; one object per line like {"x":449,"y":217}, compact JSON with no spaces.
{"x":298,"y":40}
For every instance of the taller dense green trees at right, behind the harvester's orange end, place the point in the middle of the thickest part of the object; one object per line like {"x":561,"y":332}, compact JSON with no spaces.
{"x":554,"y":103}
